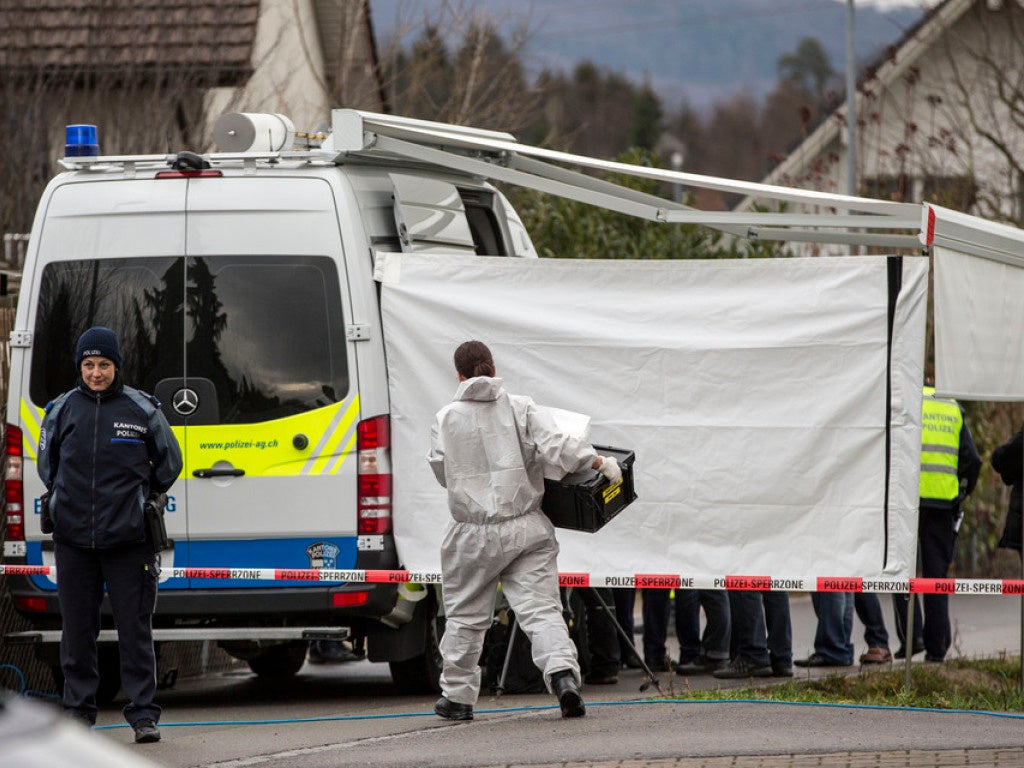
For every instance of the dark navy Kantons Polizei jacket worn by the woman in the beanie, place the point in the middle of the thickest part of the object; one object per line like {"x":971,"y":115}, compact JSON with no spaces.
{"x":101,"y":455}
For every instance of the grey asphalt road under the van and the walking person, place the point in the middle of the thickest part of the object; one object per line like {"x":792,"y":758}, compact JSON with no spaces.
{"x":351,"y":715}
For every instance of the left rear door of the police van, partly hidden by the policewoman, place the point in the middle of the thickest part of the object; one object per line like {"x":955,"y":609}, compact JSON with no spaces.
{"x":110,"y":253}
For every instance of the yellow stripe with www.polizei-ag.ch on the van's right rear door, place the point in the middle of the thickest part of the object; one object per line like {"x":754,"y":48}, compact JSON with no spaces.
{"x":270,"y":449}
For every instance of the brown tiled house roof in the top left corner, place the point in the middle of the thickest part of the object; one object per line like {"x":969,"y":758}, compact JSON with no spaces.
{"x":129,"y":39}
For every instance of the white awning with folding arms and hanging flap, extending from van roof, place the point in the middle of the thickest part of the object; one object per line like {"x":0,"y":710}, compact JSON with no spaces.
{"x":979,"y":298}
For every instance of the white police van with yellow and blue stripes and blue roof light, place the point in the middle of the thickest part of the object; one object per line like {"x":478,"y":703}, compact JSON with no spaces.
{"x":241,"y":286}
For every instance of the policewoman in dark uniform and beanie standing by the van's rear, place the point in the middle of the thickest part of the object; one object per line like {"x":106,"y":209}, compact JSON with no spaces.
{"x":104,"y":450}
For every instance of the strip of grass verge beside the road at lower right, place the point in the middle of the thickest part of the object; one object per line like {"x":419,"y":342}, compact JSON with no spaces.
{"x":991,"y":685}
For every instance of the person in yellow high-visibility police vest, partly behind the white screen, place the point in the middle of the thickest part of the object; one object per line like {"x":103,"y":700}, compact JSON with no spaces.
{"x":950,"y":466}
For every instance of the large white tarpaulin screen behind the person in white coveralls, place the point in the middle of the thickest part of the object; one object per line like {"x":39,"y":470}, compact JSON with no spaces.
{"x":754,"y":394}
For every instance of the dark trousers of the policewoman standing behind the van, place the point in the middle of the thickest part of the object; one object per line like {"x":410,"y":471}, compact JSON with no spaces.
{"x":132,"y":578}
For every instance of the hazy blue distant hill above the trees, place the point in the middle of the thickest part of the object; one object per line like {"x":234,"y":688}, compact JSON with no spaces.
{"x":701,"y":52}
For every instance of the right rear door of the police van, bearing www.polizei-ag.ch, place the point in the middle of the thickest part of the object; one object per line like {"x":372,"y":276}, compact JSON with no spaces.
{"x":268,"y":396}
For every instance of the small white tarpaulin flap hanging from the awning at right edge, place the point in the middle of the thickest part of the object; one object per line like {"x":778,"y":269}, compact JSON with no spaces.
{"x":979,"y":320}
